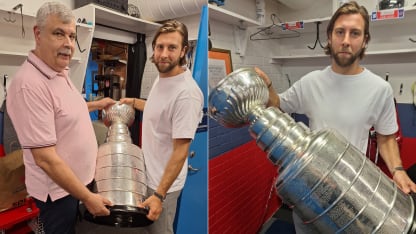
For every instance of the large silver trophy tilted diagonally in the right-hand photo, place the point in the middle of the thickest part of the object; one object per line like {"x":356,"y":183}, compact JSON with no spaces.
{"x":329,"y":183}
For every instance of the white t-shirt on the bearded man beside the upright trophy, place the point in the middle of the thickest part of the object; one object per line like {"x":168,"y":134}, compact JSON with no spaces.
{"x":172,"y":111}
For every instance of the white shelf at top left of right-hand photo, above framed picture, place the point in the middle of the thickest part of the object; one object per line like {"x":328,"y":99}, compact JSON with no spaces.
{"x":228,"y":17}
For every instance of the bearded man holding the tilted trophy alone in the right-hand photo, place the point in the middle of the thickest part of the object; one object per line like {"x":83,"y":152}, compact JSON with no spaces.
{"x":346,"y":96}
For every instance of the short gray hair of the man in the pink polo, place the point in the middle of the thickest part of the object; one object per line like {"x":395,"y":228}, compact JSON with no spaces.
{"x":53,"y":8}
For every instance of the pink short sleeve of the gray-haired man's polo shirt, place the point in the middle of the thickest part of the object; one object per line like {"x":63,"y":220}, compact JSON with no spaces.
{"x":33,"y":118}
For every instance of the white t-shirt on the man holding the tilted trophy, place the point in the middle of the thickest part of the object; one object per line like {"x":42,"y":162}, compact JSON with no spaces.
{"x":350,"y":104}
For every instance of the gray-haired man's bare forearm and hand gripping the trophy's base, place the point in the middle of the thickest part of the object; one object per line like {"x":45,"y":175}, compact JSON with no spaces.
{"x":49,"y":161}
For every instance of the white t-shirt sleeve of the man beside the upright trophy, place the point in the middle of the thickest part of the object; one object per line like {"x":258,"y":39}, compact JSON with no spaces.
{"x":186,"y":117}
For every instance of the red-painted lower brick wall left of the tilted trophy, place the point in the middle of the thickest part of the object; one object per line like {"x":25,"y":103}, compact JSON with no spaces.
{"x":242,"y":194}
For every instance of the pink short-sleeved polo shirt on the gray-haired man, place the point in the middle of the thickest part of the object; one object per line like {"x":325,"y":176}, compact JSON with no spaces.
{"x":47,"y":110}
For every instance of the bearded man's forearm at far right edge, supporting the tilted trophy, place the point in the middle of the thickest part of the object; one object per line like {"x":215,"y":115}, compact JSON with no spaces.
{"x":389,"y":151}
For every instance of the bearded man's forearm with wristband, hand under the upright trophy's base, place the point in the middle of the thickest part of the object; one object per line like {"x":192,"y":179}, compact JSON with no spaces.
{"x":172,"y":170}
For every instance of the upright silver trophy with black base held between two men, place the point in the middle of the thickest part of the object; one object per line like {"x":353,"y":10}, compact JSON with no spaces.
{"x":120,"y":174}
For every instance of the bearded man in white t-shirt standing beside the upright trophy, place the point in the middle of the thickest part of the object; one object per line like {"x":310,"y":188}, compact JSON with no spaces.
{"x":171,"y":115}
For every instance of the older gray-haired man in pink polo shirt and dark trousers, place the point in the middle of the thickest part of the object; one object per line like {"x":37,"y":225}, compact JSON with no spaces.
{"x":53,"y":125}
